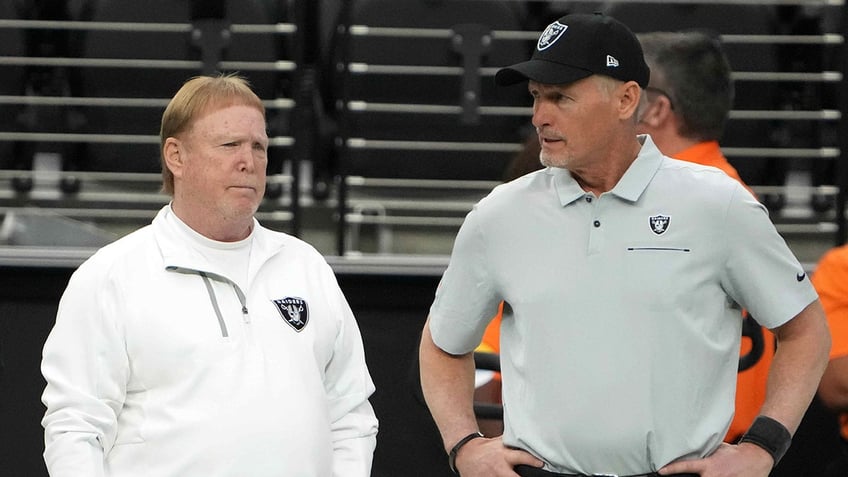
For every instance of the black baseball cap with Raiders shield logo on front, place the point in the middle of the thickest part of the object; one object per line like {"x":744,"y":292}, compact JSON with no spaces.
{"x":577,"y":46}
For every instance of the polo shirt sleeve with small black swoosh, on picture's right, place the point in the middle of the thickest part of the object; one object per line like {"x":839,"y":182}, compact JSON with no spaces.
{"x":761,"y":273}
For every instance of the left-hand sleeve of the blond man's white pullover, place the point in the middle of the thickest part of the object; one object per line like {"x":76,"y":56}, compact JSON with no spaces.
{"x":86,"y":368}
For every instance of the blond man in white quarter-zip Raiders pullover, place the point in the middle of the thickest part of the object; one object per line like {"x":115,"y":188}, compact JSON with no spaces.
{"x":205,"y":344}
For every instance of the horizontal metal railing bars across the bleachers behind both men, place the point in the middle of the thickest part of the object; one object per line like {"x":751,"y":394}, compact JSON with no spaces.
{"x":386,"y":205}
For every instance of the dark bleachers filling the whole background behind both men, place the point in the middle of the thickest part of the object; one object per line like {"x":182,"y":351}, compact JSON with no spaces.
{"x":392,"y":101}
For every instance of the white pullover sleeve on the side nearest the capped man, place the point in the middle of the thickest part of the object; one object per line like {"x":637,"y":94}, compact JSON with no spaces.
{"x":348,"y":384}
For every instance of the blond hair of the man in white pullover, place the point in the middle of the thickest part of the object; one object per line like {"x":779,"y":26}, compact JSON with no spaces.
{"x":195,"y":98}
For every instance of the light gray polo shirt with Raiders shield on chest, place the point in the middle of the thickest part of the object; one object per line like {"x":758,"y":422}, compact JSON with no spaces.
{"x":620,"y":339}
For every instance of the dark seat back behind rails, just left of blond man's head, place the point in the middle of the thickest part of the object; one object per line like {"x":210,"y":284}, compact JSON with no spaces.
{"x":141,"y":152}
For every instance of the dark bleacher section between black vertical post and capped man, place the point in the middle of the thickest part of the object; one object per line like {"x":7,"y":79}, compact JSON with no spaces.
{"x":414,"y":99}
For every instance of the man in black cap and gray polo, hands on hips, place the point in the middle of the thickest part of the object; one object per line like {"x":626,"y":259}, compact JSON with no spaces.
{"x":623,"y":272}
